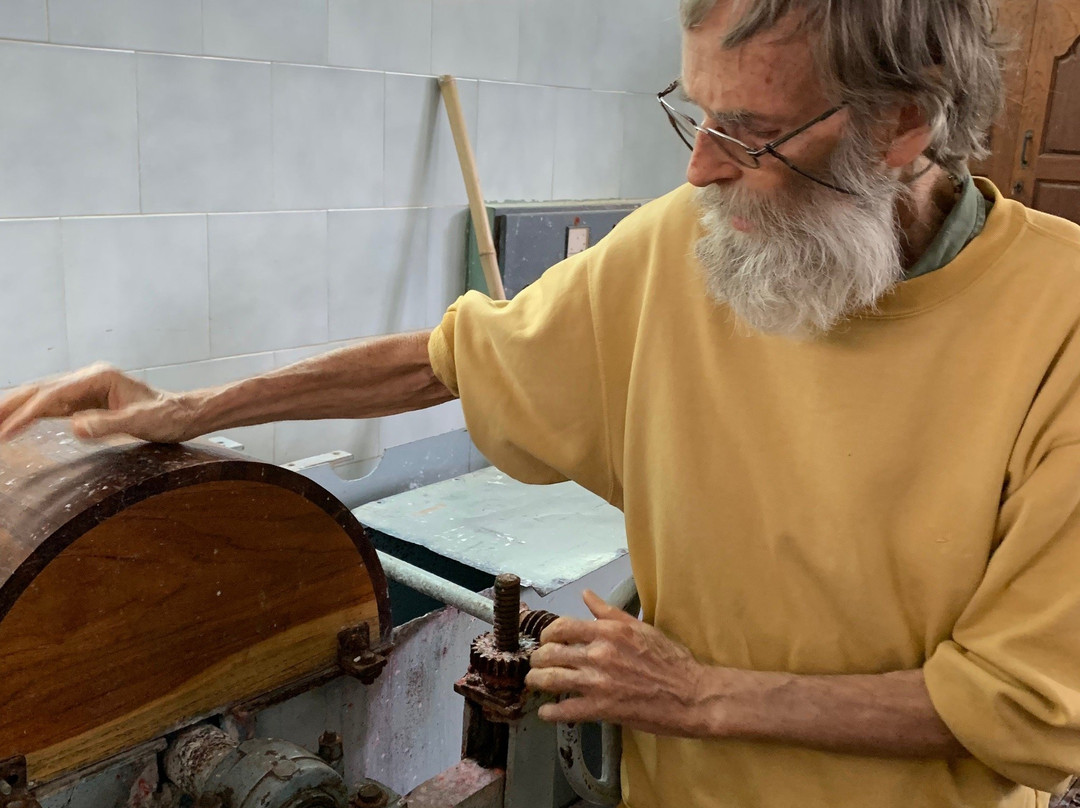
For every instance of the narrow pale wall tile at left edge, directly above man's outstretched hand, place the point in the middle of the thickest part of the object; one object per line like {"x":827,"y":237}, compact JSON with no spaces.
{"x":32,"y":277}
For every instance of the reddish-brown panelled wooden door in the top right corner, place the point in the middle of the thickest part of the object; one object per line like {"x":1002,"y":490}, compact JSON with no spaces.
{"x":1048,"y":154}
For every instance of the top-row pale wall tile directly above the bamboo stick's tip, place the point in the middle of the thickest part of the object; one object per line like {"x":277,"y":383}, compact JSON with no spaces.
{"x":476,"y":39}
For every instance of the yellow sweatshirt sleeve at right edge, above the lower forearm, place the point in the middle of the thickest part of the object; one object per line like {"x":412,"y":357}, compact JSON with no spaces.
{"x":1008,"y":682}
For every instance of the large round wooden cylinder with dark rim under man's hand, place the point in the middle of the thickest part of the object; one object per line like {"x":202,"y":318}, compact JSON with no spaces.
{"x":145,"y":586}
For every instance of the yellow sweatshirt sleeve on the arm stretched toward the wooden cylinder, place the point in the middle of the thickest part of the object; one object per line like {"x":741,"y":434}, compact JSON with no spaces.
{"x":530,"y":378}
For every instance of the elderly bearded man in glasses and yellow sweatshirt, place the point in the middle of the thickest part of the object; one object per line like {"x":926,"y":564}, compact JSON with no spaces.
{"x":835,"y":387}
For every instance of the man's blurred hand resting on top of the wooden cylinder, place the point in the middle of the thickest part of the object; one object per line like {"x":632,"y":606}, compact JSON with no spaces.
{"x":101,"y":401}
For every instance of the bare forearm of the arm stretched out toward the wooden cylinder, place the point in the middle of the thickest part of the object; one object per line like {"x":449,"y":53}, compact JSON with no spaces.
{"x":377,"y":378}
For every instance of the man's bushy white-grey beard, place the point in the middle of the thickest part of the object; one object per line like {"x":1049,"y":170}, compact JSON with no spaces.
{"x":814,"y":258}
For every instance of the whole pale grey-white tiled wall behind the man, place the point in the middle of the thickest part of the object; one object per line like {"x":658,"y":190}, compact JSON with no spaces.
{"x":350,"y":209}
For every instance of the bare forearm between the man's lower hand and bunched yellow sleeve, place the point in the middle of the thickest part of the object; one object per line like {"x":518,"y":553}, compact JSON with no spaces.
{"x":881,"y":715}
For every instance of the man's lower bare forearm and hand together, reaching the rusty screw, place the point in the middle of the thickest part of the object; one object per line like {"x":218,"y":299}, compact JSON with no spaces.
{"x":624,"y":671}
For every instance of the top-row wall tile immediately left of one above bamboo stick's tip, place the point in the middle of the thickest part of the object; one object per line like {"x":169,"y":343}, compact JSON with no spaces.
{"x":381,"y":35}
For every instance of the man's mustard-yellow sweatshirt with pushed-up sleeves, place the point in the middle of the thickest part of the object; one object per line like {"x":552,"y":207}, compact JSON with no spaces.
{"x":902,"y":494}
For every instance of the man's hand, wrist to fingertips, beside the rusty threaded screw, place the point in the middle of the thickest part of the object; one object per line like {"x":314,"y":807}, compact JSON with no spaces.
{"x":620,"y":670}
